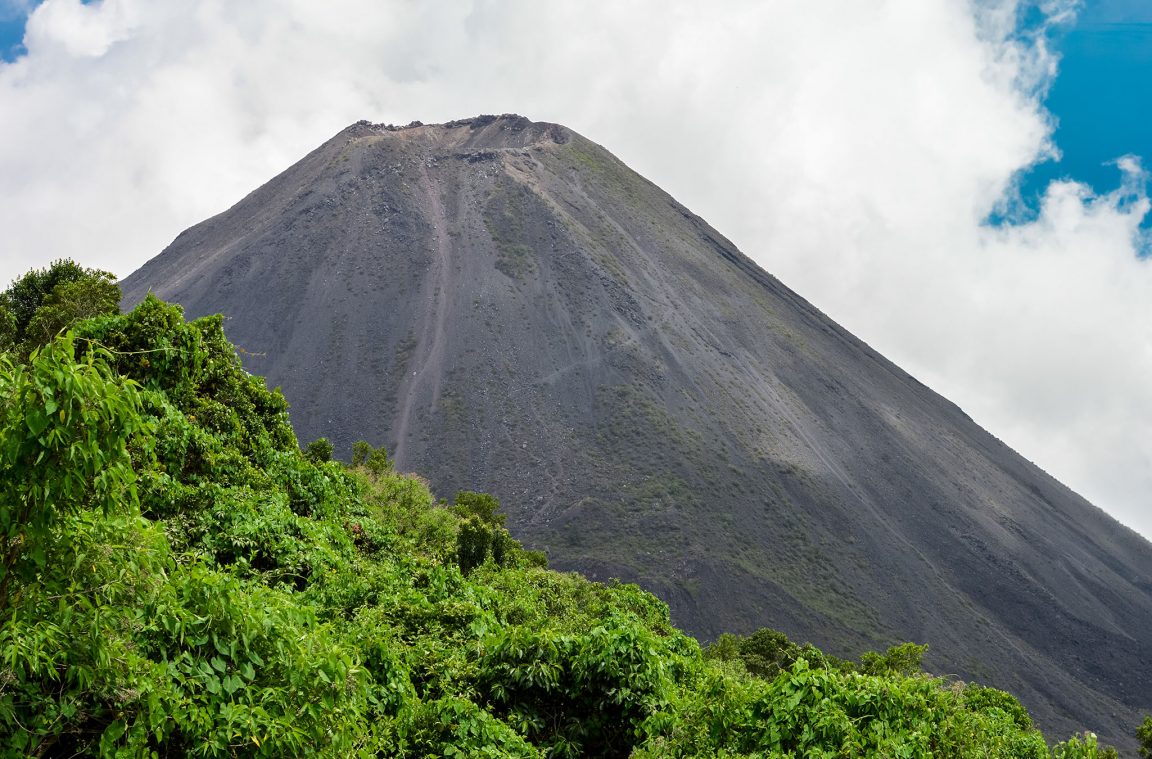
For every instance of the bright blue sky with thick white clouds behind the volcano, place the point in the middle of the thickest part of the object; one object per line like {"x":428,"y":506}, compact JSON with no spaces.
{"x":959,"y":183}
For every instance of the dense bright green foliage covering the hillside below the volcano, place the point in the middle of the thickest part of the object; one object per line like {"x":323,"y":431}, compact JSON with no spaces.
{"x":179,"y":579}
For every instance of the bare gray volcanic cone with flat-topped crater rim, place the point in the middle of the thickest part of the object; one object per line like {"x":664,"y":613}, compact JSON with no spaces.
{"x":509,"y":308}
